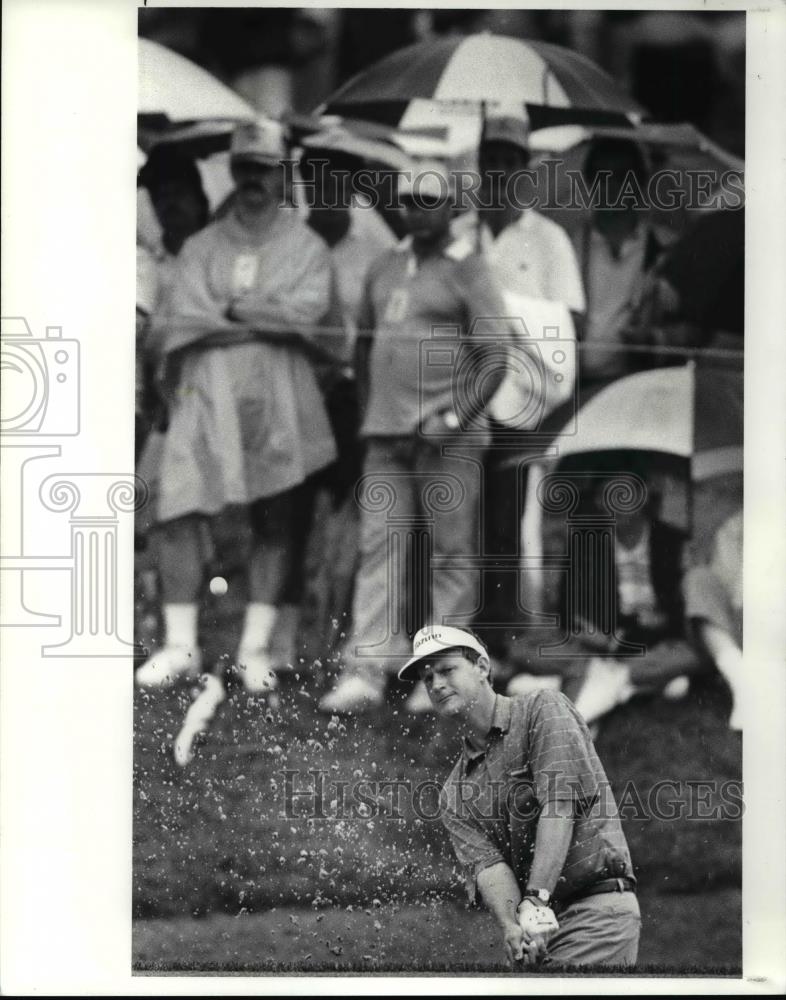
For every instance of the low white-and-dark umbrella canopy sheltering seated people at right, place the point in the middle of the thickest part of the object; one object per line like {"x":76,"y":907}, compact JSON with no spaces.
{"x":692,"y":411}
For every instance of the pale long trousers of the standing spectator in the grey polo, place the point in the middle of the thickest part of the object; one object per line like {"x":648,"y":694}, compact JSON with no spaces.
{"x":412,"y":497}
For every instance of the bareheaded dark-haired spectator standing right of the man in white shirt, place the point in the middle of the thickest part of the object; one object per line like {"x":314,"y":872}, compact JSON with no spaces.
{"x":618,"y":247}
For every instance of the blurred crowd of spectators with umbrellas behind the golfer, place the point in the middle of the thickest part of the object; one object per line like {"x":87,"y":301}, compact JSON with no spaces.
{"x":279,"y":370}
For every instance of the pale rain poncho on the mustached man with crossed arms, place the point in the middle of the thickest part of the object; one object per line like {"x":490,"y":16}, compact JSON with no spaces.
{"x":248,"y":420}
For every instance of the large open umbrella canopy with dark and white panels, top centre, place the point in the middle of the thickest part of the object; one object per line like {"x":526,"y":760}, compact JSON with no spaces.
{"x":552,"y":84}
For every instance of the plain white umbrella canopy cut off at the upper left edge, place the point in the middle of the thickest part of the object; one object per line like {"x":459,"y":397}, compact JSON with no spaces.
{"x":176,"y":90}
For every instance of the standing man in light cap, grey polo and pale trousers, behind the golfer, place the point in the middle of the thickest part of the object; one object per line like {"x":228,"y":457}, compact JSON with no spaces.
{"x":409,"y":413}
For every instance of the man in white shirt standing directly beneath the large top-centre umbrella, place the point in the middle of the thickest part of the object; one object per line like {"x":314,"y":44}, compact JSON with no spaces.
{"x":532,"y":258}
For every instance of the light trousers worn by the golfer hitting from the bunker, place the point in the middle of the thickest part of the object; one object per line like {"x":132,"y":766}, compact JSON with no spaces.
{"x":598,"y":930}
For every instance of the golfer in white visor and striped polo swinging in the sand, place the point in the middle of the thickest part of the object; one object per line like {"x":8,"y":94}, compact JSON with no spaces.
{"x":530,"y":812}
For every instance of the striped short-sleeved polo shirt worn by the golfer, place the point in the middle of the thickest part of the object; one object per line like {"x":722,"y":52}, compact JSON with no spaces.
{"x":538,"y":751}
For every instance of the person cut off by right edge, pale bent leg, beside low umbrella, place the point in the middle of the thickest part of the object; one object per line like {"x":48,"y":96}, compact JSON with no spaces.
{"x":713,"y":605}
